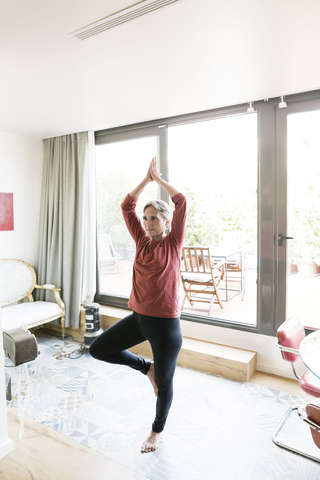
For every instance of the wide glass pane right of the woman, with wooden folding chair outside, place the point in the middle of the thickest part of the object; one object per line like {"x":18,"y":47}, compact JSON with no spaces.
{"x":215,"y":164}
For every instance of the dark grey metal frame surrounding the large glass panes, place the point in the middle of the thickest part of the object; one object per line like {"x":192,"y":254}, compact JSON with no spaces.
{"x":269,"y":139}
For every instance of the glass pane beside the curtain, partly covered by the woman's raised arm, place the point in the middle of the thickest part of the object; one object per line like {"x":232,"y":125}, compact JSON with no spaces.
{"x":120,"y":167}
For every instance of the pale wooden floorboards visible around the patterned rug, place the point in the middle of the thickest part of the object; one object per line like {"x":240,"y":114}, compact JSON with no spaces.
{"x":44,"y":454}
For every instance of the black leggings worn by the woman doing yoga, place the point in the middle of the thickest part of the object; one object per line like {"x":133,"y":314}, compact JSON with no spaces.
{"x":164,"y":335}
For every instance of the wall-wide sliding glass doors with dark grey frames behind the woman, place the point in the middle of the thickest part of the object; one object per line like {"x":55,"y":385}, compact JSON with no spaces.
{"x":251,"y":180}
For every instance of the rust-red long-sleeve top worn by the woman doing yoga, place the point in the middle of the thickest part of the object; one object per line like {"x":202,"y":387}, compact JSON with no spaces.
{"x":156,"y":280}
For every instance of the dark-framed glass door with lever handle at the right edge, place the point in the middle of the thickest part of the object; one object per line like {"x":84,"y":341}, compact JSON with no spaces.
{"x":299,"y":213}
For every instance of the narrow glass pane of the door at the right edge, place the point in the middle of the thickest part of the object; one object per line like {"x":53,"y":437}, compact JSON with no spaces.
{"x":303,"y":217}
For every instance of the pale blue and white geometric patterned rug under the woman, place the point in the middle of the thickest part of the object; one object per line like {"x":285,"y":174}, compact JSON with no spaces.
{"x":217,"y":428}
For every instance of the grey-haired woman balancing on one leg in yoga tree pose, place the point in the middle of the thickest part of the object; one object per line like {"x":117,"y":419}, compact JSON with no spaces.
{"x":154,"y":297}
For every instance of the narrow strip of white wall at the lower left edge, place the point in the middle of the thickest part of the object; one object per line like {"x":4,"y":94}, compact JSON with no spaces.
{"x":6,"y":444}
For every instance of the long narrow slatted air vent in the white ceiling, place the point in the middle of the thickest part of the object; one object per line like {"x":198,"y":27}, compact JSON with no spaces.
{"x":141,"y":8}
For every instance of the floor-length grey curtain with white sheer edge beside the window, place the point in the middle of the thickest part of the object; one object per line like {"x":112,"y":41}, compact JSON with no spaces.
{"x":67,"y":233}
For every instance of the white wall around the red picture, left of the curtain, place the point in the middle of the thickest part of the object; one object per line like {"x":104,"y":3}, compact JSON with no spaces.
{"x":20,"y":174}
